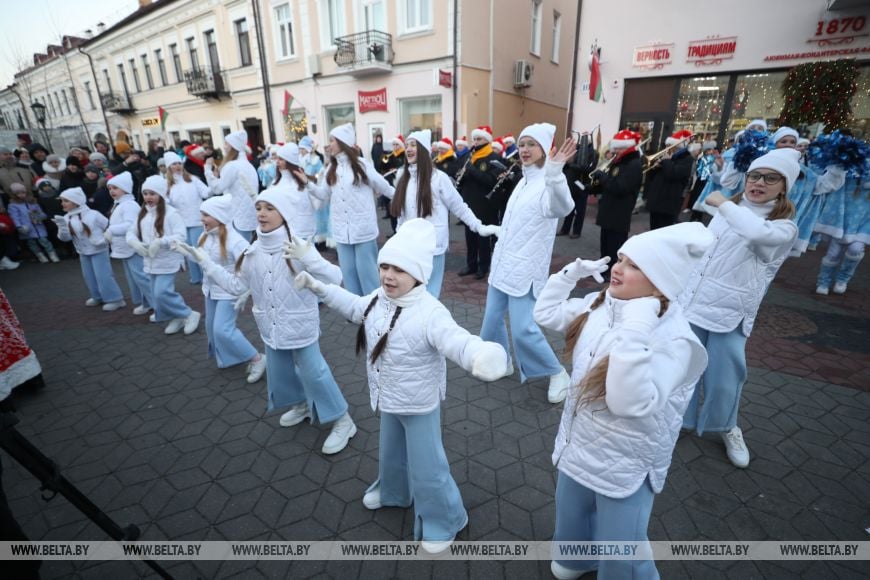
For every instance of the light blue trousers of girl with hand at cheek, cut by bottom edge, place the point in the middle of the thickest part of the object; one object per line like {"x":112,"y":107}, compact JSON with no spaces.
{"x":583,"y":515}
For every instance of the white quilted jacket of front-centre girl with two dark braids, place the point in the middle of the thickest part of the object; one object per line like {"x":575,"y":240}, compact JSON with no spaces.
{"x":410,"y":376}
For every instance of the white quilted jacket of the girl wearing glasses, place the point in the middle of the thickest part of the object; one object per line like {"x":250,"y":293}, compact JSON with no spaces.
{"x":728,"y":286}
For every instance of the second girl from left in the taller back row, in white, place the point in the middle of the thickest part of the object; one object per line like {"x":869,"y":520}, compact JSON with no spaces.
{"x":238,"y":178}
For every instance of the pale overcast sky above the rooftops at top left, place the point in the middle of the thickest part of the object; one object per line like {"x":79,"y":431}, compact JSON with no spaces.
{"x":31,"y":25}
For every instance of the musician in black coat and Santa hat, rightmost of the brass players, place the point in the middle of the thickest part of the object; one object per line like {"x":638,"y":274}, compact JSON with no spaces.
{"x":666,"y":180}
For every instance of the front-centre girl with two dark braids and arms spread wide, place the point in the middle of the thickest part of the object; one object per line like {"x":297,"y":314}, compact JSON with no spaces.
{"x":406,"y":335}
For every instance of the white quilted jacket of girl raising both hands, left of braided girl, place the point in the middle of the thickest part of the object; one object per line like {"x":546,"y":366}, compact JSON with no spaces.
{"x":287,"y":318}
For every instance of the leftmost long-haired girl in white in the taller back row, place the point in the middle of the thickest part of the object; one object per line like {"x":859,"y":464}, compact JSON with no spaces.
{"x":185,"y":193}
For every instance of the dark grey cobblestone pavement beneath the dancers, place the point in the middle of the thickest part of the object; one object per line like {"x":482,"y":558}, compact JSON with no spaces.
{"x":158,"y":436}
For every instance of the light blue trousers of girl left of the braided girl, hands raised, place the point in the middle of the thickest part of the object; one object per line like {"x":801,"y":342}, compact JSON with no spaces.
{"x":300,"y":375}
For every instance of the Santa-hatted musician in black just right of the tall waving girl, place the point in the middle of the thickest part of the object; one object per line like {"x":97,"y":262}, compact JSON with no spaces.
{"x":617,"y":183}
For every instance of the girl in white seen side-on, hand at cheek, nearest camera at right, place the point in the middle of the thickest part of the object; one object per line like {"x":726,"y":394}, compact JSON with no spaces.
{"x":635,"y":362}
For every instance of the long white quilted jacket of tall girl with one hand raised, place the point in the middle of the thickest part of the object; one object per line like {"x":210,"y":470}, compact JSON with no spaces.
{"x":525,"y":245}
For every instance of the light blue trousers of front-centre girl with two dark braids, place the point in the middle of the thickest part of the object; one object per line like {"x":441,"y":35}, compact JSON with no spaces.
{"x":413,"y":468}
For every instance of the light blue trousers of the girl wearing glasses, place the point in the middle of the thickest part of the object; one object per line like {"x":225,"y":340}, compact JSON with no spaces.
{"x":721,"y":383}
